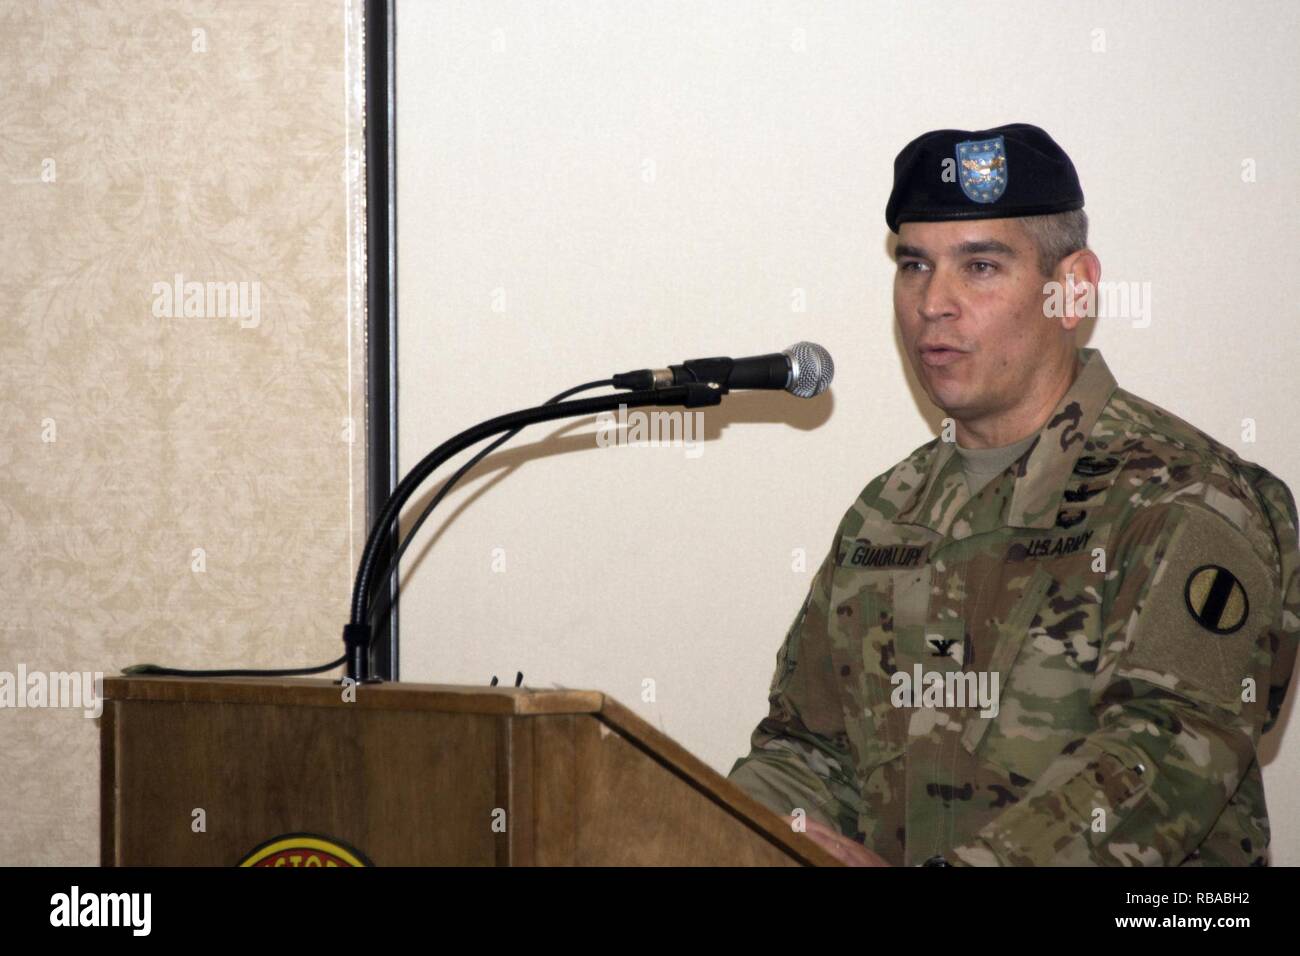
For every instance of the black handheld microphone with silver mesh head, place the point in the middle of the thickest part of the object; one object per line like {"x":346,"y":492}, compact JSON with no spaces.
{"x":804,"y":370}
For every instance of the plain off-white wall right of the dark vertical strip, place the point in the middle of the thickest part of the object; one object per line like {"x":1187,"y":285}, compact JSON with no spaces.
{"x":640,"y":184}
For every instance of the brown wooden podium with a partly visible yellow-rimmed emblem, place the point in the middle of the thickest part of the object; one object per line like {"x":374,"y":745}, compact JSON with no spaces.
{"x":198,"y":772}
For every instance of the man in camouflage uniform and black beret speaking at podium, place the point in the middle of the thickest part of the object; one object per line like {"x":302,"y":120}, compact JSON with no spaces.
{"x":1124,"y":589}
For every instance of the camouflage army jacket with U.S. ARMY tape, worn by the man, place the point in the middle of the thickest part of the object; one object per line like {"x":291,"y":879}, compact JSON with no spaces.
{"x":1126,"y":595}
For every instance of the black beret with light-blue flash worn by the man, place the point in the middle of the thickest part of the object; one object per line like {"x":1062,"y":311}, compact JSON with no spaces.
{"x":998,"y":174}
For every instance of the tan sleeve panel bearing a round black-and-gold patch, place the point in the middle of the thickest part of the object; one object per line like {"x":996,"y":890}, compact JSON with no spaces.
{"x":1206,"y":612}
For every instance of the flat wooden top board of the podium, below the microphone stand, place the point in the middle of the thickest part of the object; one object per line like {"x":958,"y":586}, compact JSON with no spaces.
{"x":383,"y":697}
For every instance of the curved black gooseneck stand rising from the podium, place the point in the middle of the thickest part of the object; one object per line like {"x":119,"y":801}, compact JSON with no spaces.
{"x":358,"y":633}
